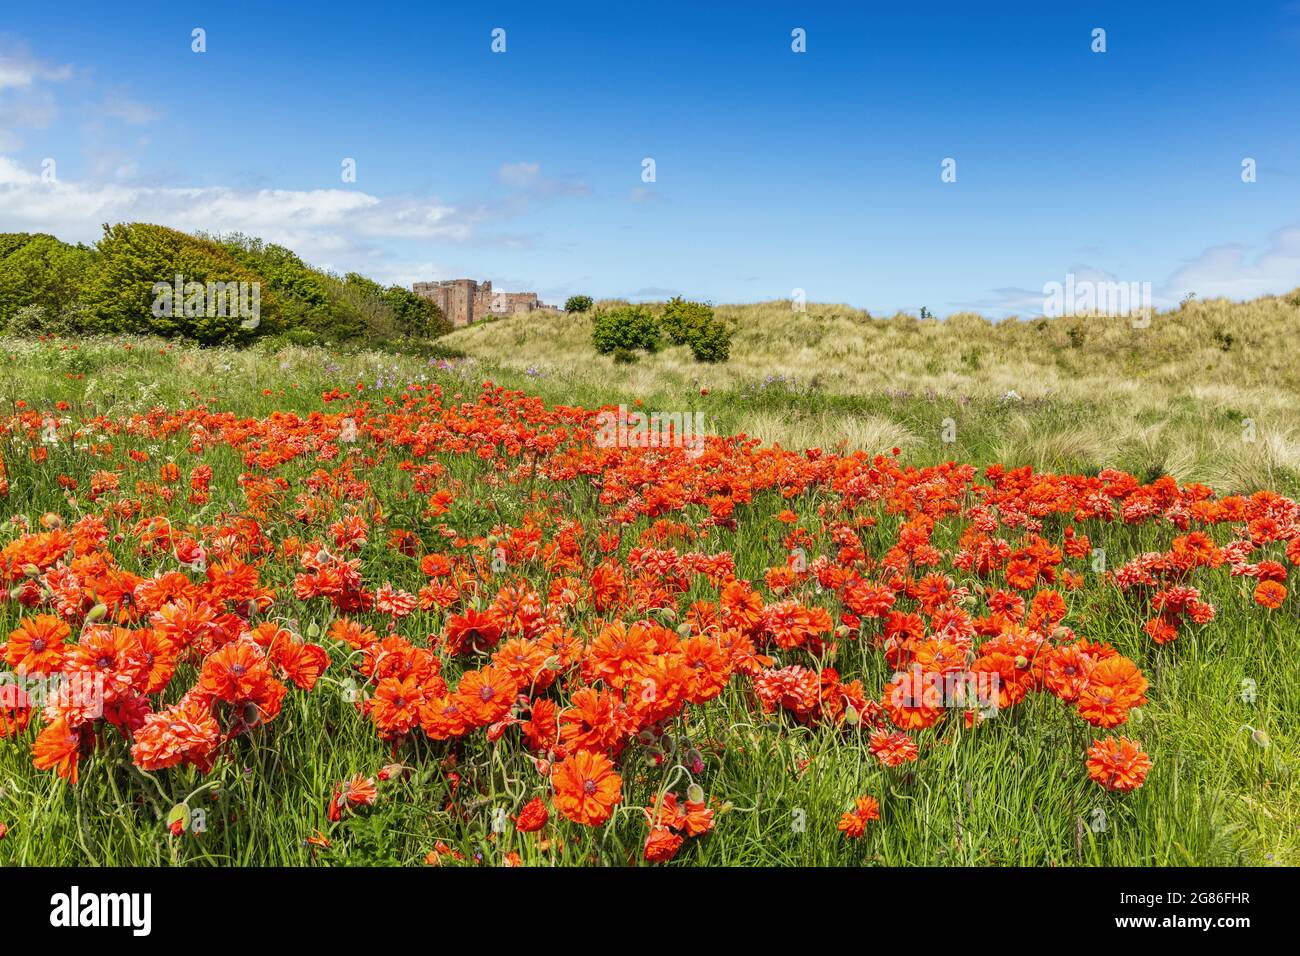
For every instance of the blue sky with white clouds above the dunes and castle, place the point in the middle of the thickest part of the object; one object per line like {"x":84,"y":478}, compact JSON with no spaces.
{"x":774,"y":170}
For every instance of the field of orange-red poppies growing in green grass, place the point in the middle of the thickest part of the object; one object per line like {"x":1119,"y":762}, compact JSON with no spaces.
{"x":293,"y":608}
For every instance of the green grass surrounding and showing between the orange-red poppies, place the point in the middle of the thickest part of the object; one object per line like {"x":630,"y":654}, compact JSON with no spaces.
{"x":1011,"y":791}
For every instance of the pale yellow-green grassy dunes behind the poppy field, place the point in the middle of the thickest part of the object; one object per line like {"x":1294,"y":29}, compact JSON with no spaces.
{"x":1206,"y":393}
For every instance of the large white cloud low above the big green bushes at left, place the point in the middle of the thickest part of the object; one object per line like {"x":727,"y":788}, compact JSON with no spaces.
{"x":332,"y":228}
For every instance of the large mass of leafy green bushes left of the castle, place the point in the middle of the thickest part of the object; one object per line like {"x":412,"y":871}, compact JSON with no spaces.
{"x":128,"y":284}
